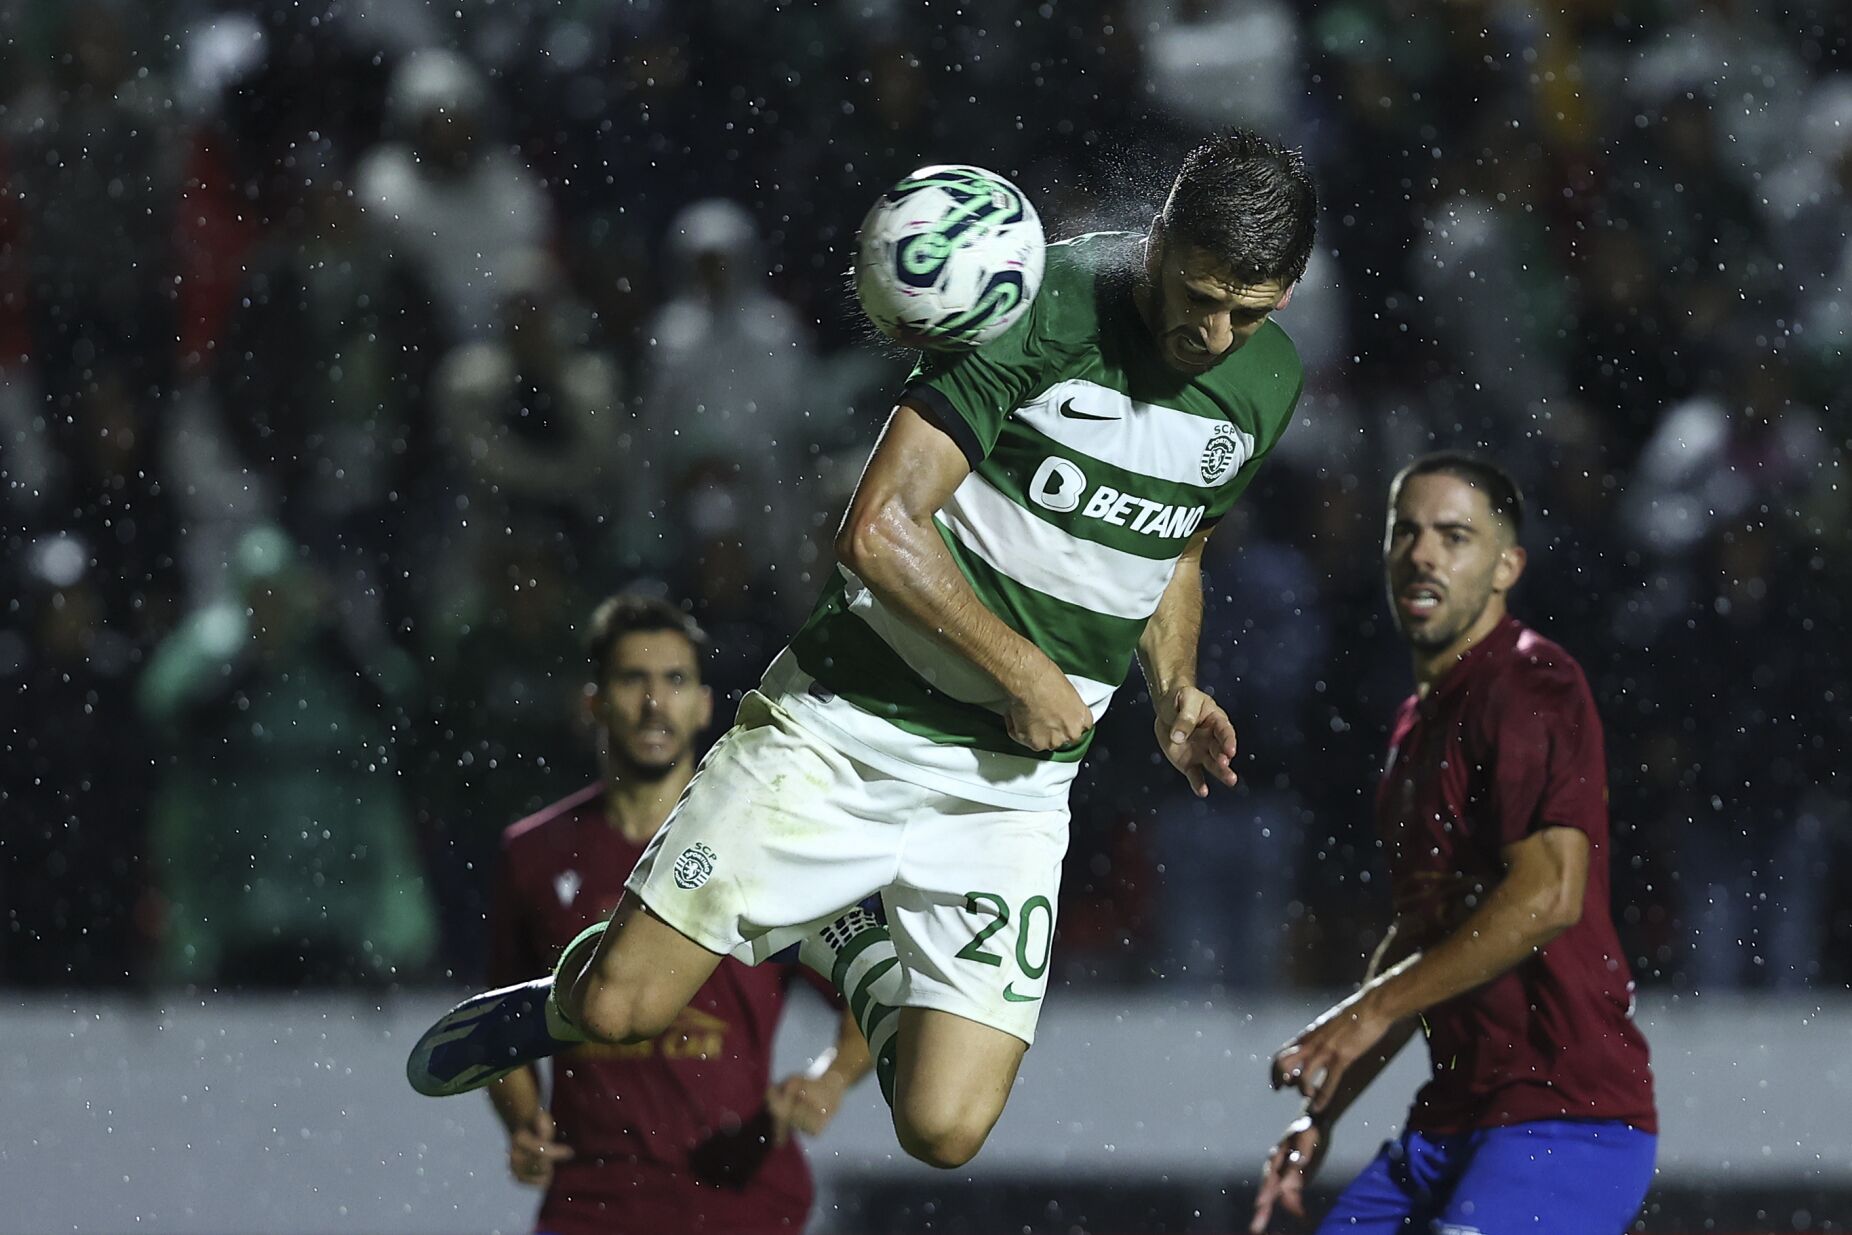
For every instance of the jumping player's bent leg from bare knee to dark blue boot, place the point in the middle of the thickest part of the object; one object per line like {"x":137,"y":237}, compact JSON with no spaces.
{"x":619,"y":982}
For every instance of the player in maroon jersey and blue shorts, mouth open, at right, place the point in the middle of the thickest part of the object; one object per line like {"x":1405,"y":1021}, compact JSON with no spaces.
{"x":1503,"y":951}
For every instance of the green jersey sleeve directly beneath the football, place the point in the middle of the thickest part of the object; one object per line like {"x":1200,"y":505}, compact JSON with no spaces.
{"x":970,"y":395}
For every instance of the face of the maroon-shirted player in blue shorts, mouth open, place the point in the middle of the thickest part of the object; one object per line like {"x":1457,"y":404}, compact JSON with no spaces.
{"x":1447,"y":556}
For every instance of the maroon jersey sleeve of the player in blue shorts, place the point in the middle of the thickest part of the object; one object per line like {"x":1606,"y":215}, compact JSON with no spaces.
{"x":1547,"y":760}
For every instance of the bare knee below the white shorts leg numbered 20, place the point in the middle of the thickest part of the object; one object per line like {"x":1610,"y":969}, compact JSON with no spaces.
{"x":951,"y":1084}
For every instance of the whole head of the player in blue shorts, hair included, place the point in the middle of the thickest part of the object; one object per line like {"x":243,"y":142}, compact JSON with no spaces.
{"x":1451,"y":551}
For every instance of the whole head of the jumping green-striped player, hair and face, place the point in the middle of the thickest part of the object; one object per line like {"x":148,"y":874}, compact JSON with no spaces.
{"x":1231,"y":243}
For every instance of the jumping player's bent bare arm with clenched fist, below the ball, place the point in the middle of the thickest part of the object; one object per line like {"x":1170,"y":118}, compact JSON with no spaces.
{"x":892,"y":543}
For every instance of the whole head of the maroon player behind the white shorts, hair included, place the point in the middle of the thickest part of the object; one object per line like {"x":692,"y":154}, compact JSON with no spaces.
{"x":647,"y":695}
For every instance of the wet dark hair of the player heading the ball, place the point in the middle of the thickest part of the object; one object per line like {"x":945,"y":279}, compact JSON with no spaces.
{"x":1251,"y":203}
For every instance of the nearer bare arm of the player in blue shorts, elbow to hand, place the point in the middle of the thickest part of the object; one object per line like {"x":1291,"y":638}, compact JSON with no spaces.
{"x":1538,"y":899}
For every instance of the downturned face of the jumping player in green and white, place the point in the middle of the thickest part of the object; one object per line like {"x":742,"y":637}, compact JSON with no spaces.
{"x":1203,"y":312}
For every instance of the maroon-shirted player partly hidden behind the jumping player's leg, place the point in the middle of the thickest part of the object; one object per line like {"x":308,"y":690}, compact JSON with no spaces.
{"x":684,"y":1132}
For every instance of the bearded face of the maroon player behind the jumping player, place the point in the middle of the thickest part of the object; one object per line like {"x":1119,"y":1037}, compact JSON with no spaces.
{"x":653,"y":705}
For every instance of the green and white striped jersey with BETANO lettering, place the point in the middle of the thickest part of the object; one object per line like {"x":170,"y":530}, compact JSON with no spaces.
{"x":1094,"y":464}
